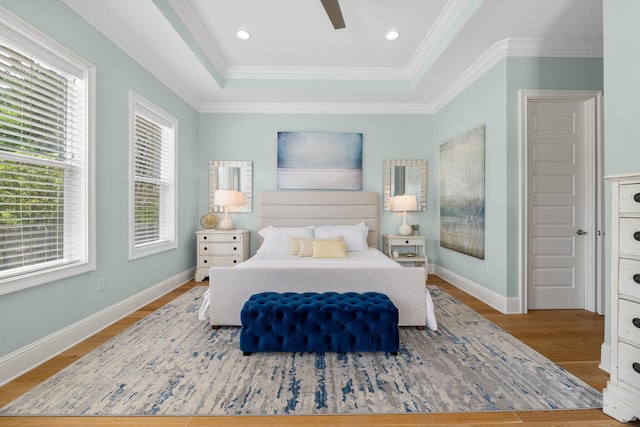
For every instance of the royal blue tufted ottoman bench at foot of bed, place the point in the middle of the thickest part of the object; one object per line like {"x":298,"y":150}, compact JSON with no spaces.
{"x":319,"y":322}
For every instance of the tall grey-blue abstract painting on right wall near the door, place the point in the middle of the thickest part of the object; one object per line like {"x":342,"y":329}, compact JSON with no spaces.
{"x":462,"y":199}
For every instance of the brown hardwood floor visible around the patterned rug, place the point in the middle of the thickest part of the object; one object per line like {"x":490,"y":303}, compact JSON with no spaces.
{"x":571,"y":338}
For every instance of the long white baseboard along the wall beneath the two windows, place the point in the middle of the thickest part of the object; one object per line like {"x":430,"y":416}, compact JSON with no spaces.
{"x":28,"y":357}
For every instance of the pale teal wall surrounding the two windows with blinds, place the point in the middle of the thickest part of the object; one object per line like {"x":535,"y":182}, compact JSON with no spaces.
{"x":36,"y":312}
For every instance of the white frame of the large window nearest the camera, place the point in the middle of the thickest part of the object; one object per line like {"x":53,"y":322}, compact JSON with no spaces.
{"x":30,"y":40}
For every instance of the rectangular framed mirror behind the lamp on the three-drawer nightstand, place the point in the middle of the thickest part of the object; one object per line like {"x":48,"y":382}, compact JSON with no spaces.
{"x":231,"y":175}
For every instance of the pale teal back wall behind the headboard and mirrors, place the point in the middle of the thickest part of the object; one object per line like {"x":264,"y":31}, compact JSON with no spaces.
{"x":254,"y":137}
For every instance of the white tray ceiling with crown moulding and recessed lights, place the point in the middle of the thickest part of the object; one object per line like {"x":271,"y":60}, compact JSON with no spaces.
{"x":296,"y":62}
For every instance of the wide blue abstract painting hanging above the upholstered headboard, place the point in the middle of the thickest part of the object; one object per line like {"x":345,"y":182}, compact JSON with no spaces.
{"x":320,"y":160}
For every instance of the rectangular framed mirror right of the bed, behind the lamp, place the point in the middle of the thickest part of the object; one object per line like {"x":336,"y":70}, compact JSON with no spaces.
{"x":405,"y":177}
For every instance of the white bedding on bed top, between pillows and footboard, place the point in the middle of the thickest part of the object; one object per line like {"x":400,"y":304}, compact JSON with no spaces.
{"x":362,"y":259}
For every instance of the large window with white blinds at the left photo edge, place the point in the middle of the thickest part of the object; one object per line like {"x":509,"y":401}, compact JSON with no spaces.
{"x":46,"y":147}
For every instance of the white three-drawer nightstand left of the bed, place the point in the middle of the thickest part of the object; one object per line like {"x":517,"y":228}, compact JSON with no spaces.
{"x":220,"y":248}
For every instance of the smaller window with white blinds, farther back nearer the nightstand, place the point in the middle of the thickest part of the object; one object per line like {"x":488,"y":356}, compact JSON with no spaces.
{"x":152,"y":212}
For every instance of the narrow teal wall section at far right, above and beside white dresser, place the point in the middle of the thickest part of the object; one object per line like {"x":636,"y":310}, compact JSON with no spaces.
{"x":621,"y":107}
